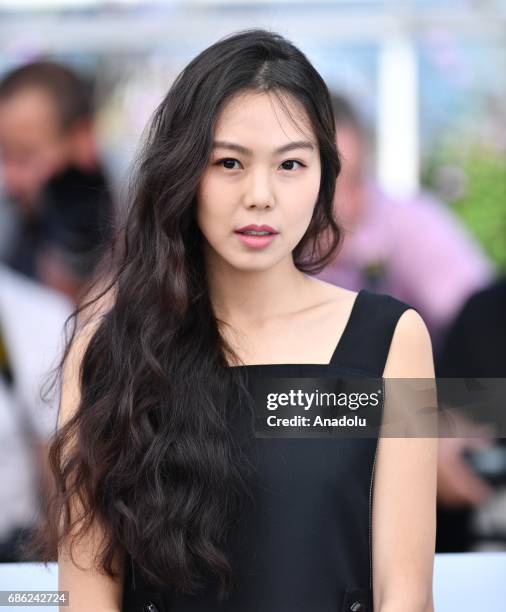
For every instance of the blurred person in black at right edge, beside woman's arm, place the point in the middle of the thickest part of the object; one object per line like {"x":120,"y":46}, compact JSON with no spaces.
{"x":472,"y":508}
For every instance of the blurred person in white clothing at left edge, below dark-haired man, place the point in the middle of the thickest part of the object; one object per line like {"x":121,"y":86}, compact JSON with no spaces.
{"x":32,"y":319}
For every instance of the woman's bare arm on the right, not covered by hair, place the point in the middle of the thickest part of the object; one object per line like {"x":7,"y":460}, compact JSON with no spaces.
{"x":404,"y":502}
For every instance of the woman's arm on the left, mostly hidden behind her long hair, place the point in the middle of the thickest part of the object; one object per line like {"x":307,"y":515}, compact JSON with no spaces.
{"x":88,"y":589}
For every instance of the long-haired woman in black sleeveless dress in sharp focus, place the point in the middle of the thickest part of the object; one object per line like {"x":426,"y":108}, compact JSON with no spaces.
{"x":179,"y":506}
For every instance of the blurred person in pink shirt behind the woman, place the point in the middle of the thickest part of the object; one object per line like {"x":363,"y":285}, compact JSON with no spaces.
{"x":415,"y":250}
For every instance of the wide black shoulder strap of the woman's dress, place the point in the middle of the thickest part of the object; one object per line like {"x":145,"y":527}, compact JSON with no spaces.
{"x":368,"y":334}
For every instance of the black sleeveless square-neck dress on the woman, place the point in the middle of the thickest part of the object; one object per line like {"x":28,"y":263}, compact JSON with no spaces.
{"x":305,"y":546}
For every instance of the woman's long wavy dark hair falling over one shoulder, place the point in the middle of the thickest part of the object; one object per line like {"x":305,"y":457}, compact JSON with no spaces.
{"x":149,"y":451}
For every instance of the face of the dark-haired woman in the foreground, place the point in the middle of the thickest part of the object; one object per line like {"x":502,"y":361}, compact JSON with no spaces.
{"x":263,"y":171}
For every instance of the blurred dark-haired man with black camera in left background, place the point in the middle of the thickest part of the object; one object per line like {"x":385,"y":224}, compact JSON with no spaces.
{"x":55,"y":188}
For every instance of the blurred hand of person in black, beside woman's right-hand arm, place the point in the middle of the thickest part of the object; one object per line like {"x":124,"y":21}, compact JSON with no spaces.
{"x":458,"y":485}
